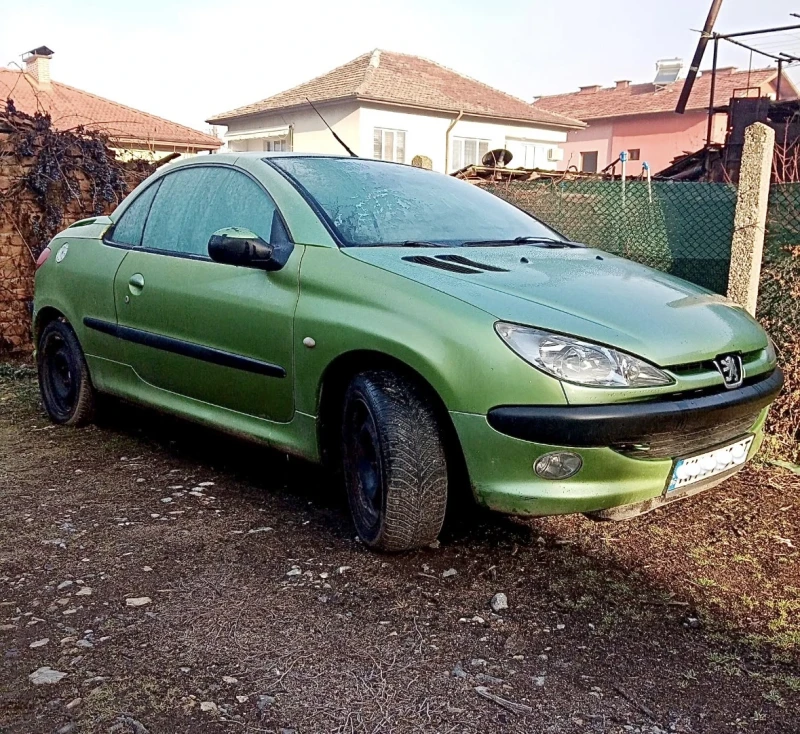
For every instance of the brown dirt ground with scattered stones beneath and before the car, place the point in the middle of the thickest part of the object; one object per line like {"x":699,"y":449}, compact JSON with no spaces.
{"x":187,"y":582}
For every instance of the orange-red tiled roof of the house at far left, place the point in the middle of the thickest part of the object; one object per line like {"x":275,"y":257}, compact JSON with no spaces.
{"x":70,"y":107}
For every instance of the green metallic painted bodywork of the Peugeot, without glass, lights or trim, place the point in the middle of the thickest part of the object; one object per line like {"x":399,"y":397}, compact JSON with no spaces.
{"x":362,"y":301}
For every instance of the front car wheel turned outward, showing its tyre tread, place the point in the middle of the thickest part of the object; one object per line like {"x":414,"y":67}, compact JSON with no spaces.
{"x":393,"y":461}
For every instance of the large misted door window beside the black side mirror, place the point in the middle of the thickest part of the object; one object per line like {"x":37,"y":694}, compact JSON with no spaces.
{"x":193,"y":203}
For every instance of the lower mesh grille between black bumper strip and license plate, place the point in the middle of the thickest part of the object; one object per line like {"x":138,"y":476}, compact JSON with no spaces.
{"x":690,"y":441}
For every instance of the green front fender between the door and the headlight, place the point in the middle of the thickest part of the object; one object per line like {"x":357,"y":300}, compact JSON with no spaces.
{"x":347,"y":306}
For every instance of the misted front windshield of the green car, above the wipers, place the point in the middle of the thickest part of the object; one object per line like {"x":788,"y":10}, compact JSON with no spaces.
{"x":373,"y":203}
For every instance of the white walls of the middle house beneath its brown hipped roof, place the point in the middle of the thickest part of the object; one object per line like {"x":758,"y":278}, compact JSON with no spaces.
{"x":425,"y":131}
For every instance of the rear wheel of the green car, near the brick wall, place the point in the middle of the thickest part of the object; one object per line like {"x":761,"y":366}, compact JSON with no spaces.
{"x":64,"y":382}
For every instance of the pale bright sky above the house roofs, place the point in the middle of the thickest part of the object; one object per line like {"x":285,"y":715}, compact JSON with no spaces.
{"x":187,"y":60}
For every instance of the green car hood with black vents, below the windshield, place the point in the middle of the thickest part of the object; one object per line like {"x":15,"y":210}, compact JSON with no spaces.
{"x":586,"y":293}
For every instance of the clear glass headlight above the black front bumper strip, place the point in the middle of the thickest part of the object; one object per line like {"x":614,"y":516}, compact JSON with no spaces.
{"x":572,"y":360}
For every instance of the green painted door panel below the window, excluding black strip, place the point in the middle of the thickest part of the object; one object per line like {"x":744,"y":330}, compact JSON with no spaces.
{"x":243,"y":311}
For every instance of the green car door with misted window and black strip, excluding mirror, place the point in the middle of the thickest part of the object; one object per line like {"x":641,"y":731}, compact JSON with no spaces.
{"x":217,"y":333}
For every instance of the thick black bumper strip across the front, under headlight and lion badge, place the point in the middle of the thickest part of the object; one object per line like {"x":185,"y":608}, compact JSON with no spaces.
{"x":622,"y":423}
